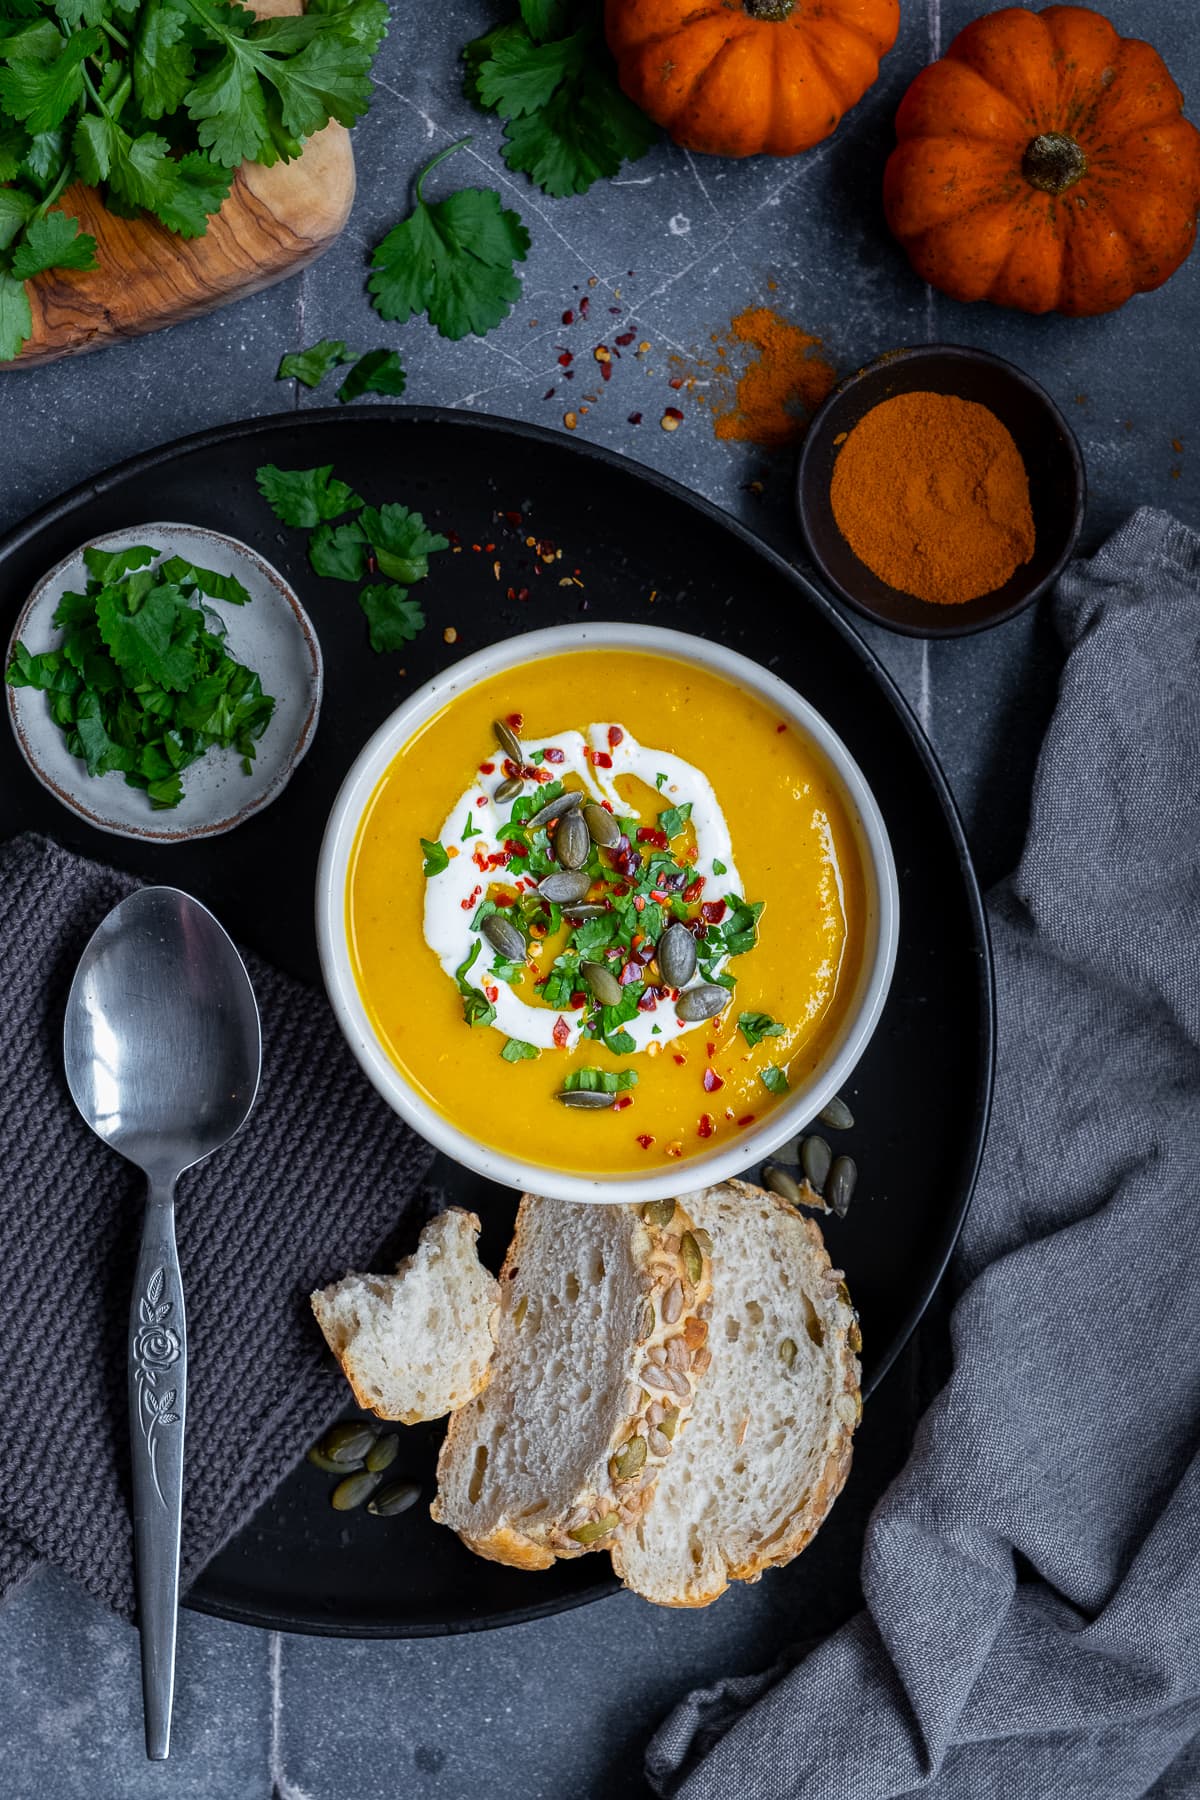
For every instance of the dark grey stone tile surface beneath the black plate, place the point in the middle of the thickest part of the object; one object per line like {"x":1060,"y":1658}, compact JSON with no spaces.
{"x":559,"y":1711}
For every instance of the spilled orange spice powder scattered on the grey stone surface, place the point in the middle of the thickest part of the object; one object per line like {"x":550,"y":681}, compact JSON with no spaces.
{"x":769,"y":395}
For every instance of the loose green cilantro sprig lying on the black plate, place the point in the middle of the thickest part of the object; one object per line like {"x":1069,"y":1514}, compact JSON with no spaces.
{"x":379,"y":541}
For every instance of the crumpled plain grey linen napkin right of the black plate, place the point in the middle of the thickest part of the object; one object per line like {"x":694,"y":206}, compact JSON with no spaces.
{"x":1032,"y":1579}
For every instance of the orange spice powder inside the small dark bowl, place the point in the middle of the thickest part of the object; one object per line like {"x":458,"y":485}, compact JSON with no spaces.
{"x":933,"y":496}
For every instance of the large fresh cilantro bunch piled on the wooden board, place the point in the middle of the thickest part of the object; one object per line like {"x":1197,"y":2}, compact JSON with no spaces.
{"x":156,"y":103}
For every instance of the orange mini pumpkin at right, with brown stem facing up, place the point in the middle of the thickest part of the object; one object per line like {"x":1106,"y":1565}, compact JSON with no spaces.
{"x":1044,"y":165}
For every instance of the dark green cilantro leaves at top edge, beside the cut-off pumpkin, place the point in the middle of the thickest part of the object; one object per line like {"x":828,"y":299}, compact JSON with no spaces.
{"x":551,"y":78}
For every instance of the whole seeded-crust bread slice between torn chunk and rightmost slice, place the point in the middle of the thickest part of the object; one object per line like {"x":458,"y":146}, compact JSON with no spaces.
{"x":600,"y":1347}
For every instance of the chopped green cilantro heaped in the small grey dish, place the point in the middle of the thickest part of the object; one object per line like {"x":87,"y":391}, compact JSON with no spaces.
{"x":143,"y":681}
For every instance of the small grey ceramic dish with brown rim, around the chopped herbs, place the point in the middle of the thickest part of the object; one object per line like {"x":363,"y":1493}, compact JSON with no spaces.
{"x":273,"y":636}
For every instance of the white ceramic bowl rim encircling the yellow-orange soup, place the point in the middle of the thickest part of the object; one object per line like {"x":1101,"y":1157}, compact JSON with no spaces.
{"x":726,"y":1160}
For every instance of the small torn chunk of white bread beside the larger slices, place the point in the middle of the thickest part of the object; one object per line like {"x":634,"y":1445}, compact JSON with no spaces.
{"x":416,"y":1344}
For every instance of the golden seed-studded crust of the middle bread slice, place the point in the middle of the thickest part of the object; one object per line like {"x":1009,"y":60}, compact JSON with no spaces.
{"x":676,"y":1291}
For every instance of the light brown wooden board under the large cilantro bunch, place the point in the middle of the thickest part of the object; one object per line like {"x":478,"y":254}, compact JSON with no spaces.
{"x":274,"y":224}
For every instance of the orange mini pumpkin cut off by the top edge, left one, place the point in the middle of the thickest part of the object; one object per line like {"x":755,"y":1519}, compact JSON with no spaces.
{"x":737,"y":78}
